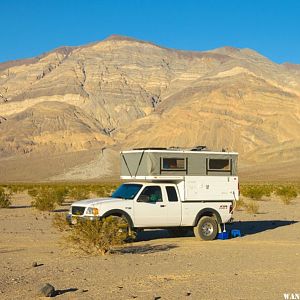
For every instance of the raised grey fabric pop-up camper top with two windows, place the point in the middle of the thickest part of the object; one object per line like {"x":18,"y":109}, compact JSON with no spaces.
{"x":175,"y":163}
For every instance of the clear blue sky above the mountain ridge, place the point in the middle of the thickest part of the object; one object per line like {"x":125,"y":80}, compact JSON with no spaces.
{"x":271,"y":27}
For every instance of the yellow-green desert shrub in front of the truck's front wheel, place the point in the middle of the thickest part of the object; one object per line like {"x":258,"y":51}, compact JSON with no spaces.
{"x":93,"y":237}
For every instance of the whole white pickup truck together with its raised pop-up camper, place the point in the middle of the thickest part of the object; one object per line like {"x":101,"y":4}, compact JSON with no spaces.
{"x":176,"y":189}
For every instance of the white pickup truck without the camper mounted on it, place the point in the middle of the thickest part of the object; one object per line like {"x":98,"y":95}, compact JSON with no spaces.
{"x":158,"y":205}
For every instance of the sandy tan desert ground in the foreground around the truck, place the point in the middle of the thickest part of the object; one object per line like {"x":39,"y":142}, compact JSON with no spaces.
{"x":263,"y":264}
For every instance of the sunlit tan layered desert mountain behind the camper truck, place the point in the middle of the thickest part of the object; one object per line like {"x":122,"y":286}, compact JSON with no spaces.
{"x":67,"y":113}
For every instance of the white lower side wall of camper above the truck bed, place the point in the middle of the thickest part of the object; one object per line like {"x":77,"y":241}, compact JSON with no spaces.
{"x":211,"y":188}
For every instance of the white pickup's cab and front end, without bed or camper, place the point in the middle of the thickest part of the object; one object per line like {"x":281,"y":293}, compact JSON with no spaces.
{"x":144,"y":204}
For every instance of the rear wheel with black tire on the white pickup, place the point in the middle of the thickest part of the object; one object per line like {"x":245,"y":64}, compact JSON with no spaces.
{"x":206,"y":229}
